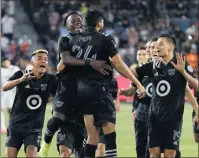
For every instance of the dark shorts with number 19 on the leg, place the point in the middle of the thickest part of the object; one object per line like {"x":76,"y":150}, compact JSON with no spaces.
{"x":165,"y":135}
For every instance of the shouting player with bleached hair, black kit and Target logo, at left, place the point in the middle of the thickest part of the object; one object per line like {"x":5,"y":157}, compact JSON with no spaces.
{"x":27,"y":115}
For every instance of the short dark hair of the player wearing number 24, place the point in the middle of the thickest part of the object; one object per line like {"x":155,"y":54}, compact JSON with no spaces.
{"x":93,"y":16}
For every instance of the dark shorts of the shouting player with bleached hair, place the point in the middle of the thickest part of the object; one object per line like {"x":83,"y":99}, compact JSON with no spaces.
{"x":16,"y":139}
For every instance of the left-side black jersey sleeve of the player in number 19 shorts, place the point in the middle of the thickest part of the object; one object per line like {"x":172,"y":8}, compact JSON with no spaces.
{"x":145,"y":70}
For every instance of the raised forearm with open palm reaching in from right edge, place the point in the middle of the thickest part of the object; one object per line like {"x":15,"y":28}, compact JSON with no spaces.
{"x":185,"y":70}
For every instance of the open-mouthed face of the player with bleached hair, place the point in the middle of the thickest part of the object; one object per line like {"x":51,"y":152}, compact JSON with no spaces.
{"x":40,"y":62}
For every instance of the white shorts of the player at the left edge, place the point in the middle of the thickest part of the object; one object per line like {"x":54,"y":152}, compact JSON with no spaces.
{"x":7,"y":99}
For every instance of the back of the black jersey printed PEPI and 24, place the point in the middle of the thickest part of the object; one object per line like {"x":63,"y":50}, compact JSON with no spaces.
{"x":93,"y":45}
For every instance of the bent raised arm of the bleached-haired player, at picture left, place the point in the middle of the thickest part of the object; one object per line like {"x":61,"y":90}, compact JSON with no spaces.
{"x":17,"y":79}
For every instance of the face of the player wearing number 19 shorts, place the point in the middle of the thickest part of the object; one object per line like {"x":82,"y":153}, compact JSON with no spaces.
{"x":163,"y":47}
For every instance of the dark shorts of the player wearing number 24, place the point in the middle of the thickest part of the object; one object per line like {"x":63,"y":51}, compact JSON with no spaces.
{"x":102,"y":109}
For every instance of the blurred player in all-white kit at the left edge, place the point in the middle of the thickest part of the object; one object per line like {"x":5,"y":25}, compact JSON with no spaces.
{"x":7,"y":98}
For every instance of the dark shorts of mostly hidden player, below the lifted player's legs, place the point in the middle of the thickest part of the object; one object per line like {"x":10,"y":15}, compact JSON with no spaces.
{"x":71,"y":136}
